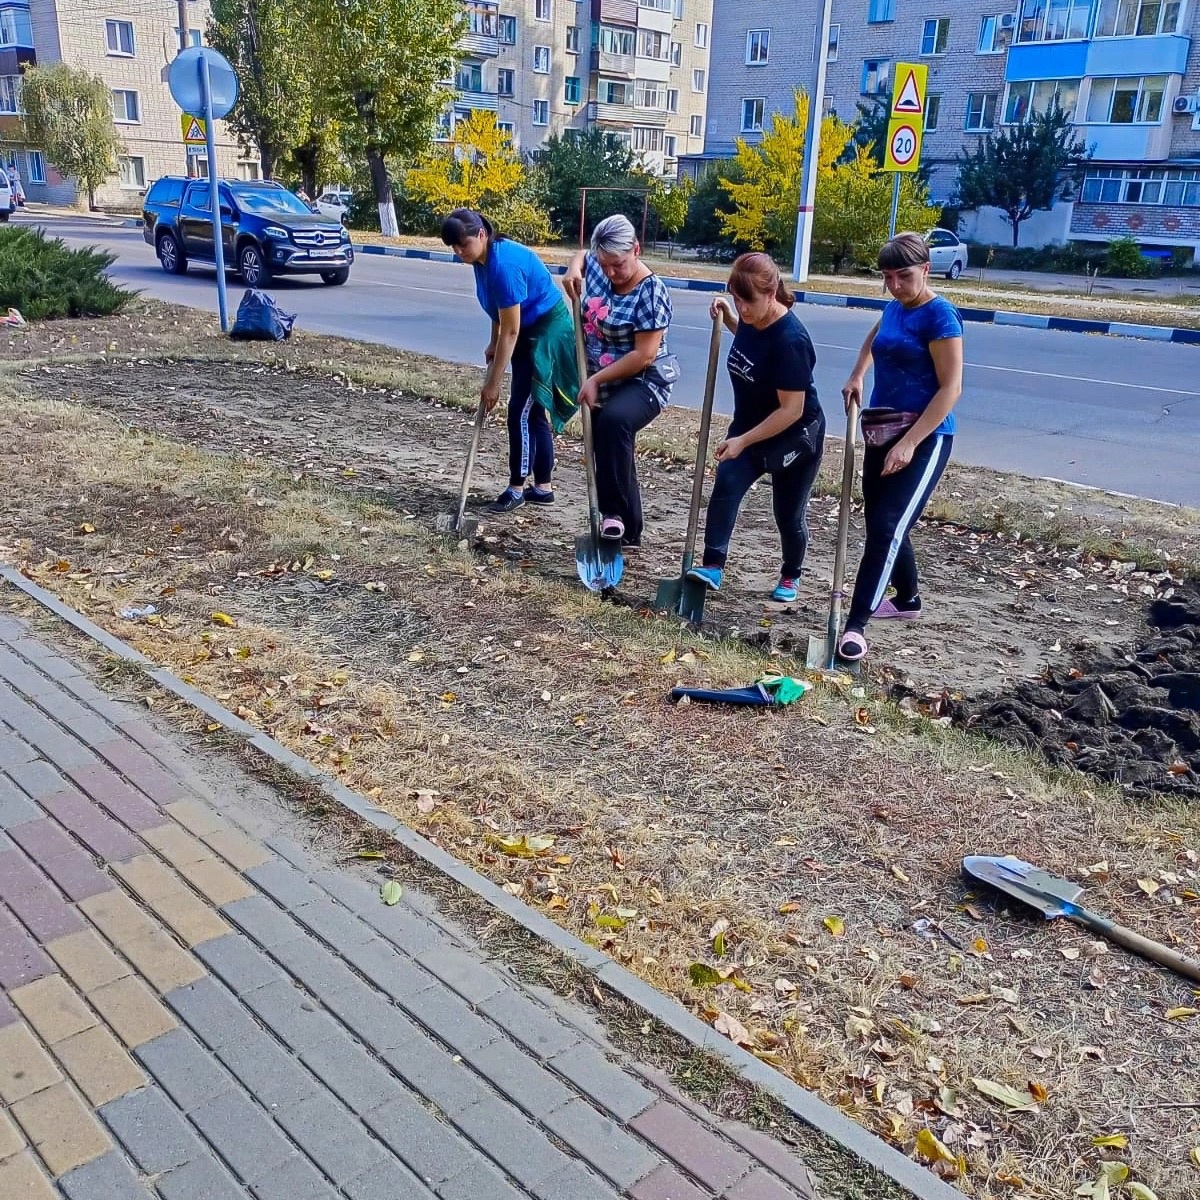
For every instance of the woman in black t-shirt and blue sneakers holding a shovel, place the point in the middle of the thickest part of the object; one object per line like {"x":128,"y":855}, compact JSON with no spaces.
{"x":778,"y":428}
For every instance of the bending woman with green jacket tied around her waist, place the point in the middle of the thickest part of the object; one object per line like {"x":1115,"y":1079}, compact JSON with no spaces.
{"x":532,"y":331}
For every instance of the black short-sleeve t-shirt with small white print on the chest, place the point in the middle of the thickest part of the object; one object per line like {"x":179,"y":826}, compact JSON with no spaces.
{"x":766,"y":362}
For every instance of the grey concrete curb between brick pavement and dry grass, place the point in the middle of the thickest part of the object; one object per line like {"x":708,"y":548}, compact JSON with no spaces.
{"x":805,"y":1106}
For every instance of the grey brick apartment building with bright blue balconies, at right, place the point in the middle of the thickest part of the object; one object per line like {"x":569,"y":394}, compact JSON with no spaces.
{"x":1126,"y":70}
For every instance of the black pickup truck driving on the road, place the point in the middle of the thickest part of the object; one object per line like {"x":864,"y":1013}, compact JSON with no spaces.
{"x":267,"y":231}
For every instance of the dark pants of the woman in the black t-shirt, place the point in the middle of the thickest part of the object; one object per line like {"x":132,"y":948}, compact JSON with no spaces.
{"x":790,"y":491}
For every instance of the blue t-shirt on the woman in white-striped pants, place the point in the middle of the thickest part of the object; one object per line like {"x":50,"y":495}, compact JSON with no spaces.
{"x":905,"y":376}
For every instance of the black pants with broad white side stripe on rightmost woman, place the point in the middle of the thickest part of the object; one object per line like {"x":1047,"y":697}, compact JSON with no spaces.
{"x":893,"y":506}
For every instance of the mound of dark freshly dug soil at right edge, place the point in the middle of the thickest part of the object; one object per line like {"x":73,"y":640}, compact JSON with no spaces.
{"x":1133,"y":719}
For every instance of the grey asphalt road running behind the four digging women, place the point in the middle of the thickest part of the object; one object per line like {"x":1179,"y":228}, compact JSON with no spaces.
{"x":1115,"y":413}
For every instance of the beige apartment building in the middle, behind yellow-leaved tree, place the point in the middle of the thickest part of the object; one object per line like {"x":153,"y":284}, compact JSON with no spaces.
{"x":638,"y":69}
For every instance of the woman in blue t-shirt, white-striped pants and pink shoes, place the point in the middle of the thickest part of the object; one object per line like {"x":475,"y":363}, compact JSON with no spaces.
{"x":909,"y":429}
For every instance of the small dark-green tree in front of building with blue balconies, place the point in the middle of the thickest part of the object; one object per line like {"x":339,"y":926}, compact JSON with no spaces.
{"x":1024,"y":169}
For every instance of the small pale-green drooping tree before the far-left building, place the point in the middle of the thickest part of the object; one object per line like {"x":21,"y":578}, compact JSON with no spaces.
{"x":69,"y":113}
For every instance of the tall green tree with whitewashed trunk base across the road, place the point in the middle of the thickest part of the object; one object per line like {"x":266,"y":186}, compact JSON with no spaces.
{"x":383,"y":65}
